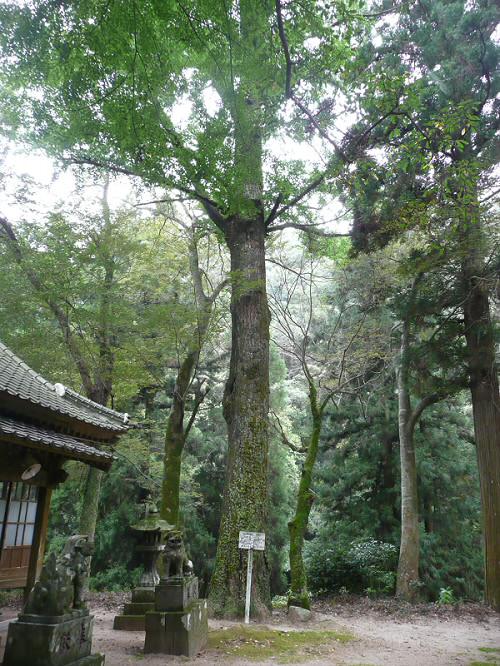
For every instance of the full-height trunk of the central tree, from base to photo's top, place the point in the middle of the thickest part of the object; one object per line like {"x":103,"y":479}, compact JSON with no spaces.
{"x":246,"y":399}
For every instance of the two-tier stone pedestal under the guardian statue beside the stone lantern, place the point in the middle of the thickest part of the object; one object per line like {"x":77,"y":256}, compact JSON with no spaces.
{"x":179,"y":623}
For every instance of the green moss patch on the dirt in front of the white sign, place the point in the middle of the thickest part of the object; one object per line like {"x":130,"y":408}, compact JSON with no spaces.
{"x":256,"y":643}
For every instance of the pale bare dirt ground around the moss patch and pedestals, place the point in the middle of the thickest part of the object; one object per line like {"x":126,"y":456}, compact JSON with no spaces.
{"x":385,"y":633}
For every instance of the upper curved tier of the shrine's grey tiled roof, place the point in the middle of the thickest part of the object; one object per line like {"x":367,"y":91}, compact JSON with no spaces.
{"x":19,"y":380}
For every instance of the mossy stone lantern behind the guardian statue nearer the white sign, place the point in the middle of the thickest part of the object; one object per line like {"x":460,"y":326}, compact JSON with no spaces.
{"x":150,"y":531}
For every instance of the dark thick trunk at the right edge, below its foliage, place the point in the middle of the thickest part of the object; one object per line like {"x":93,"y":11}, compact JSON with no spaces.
{"x":485,"y":397}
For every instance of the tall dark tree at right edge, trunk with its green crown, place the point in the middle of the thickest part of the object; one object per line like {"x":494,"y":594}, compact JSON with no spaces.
{"x":441,"y":142}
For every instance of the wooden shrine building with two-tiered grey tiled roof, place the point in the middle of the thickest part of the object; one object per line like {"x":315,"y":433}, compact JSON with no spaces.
{"x":42,"y":426}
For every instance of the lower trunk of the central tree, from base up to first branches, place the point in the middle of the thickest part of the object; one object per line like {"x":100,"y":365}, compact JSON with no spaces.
{"x":246,"y":404}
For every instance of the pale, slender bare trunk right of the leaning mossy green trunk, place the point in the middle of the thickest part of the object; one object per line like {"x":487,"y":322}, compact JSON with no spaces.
{"x":409,"y":551}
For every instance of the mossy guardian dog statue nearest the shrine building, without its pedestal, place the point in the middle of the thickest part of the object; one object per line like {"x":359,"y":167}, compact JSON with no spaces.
{"x":62,"y":580}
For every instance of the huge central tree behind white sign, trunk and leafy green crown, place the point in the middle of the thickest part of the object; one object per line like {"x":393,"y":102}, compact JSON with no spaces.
{"x":113,"y":81}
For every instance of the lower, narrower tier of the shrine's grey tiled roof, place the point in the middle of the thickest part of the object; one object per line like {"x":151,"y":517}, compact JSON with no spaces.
{"x":53,"y":442}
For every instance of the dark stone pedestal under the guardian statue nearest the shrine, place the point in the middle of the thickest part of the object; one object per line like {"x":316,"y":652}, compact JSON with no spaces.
{"x":60,"y":640}
